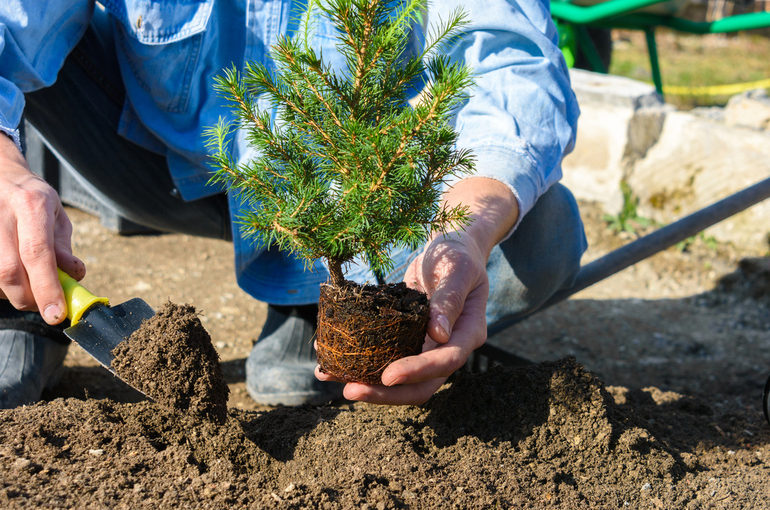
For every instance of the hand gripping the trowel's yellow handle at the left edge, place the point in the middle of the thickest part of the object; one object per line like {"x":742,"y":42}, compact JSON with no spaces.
{"x":35,"y":238}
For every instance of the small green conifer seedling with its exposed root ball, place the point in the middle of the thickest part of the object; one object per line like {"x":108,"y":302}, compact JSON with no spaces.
{"x":348,"y":169}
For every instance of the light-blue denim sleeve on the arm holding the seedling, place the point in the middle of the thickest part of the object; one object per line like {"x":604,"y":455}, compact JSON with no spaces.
{"x":521,"y":118}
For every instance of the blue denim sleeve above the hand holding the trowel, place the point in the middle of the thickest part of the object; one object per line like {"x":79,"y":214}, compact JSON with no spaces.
{"x":35,"y":38}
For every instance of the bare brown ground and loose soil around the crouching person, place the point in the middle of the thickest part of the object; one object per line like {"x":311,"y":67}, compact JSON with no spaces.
{"x":660,"y":407}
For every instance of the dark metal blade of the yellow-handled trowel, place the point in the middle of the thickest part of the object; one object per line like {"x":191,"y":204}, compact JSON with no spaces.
{"x":102,"y":328}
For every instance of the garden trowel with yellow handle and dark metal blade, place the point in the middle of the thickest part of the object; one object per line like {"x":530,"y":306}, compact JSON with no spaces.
{"x":95,"y":325}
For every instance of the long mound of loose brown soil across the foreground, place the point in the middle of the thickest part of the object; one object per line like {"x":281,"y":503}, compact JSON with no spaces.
{"x":530,"y":437}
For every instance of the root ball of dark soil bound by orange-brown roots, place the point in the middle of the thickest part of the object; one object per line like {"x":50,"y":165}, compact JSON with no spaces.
{"x":362,"y":330}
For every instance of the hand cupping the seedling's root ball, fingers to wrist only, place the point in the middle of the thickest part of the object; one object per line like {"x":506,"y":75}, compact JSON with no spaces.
{"x":451,"y":270}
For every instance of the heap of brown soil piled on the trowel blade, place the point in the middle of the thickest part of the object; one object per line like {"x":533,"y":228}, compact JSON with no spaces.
{"x":170,"y":358}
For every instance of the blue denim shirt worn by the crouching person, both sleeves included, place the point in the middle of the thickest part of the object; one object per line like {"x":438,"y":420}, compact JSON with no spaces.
{"x":520,"y":121}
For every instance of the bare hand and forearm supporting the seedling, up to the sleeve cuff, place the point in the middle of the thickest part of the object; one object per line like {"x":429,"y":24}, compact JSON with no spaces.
{"x":452,"y":271}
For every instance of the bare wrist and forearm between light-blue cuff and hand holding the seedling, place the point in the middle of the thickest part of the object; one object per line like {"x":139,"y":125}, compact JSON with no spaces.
{"x":492,"y":206}
